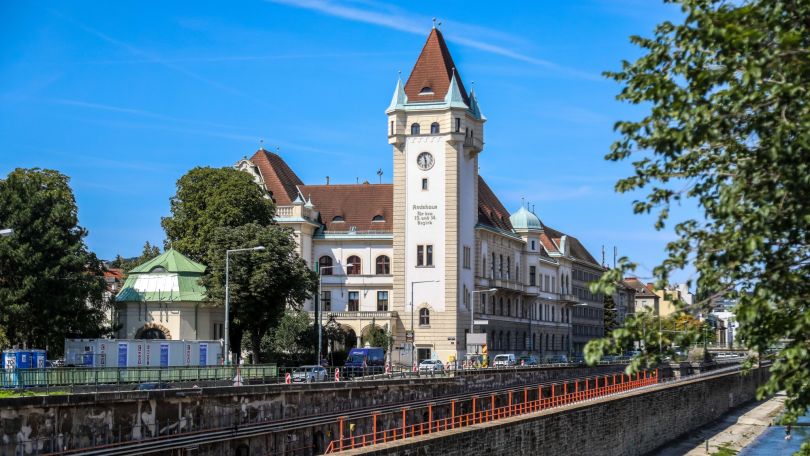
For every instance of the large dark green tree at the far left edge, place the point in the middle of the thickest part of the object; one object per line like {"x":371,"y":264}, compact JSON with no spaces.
{"x":51,"y":285}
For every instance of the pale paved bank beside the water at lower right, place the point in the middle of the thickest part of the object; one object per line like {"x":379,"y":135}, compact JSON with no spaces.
{"x":733,"y":431}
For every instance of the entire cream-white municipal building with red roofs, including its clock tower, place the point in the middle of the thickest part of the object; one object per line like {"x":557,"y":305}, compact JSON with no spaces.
{"x":435,"y":251}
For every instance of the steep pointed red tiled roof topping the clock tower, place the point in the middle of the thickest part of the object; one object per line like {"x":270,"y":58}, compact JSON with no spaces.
{"x":434,"y":68}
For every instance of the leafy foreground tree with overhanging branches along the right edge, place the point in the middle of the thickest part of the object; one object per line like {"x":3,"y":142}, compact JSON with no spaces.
{"x":726,"y":102}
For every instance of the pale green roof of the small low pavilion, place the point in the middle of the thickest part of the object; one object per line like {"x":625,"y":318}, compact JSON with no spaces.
{"x":177,"y":280}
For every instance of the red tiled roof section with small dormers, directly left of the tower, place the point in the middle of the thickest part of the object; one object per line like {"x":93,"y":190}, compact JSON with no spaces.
{"x":358,"y":204}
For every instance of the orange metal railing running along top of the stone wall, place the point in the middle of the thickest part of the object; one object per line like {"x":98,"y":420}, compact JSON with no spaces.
{"x":518,"y":401}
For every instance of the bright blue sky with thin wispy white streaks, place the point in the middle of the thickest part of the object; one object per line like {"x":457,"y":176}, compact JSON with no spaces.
{"x":126,"y":97}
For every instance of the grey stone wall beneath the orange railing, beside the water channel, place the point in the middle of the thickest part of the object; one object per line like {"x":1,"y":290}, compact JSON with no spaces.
{"x":631,"y":425}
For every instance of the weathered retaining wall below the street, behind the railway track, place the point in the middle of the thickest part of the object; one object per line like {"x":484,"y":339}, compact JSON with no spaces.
{"x":42,"y":423}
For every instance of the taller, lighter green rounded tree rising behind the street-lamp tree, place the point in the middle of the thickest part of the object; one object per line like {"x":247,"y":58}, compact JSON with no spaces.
{"x":208,"y":199}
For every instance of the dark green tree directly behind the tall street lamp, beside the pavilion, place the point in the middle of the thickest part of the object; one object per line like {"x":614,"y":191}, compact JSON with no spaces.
{"x":263,"y":284}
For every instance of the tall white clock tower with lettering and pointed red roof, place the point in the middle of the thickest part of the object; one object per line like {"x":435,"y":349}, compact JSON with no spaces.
{"x":436,"y":129}
